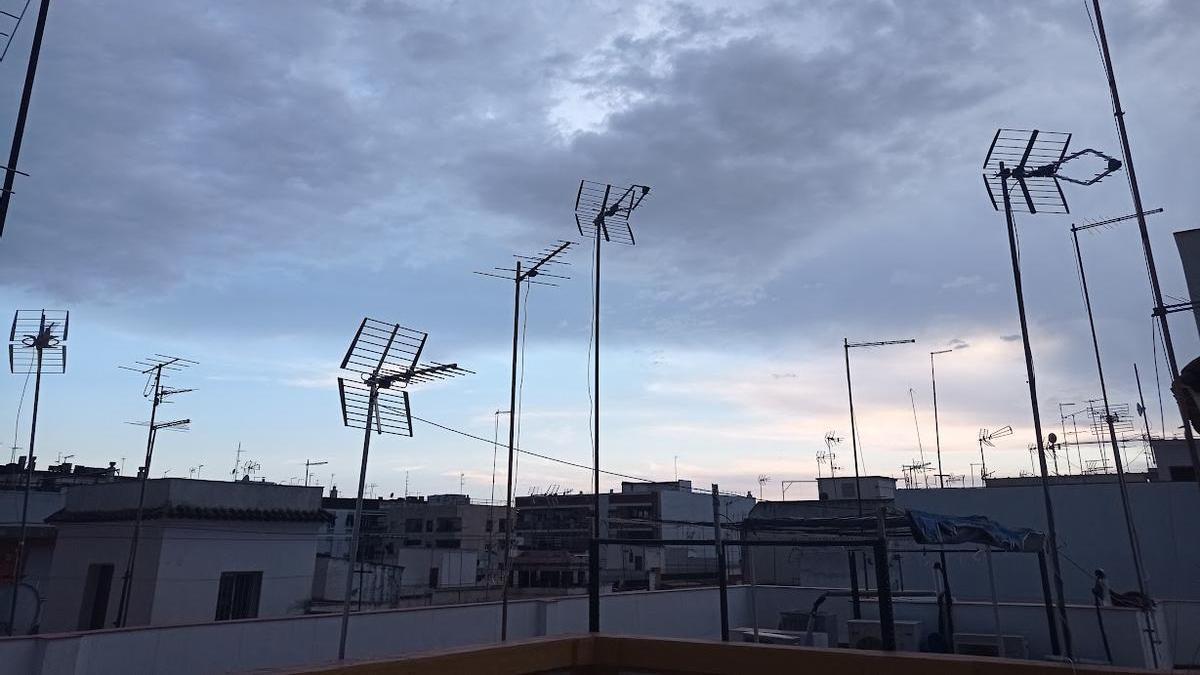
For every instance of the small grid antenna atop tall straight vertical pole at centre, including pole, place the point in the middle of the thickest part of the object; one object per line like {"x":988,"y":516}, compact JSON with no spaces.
{"x":602,"y":212}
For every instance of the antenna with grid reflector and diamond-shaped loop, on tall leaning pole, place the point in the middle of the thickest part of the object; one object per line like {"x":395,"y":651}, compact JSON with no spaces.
{"x":1033,"y":162}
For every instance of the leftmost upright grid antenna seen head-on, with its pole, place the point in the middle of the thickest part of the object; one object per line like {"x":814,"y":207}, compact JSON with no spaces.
{"x":38,"y":345}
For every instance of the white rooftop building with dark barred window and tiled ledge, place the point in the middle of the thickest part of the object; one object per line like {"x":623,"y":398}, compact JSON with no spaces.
{"x":209,"y":551}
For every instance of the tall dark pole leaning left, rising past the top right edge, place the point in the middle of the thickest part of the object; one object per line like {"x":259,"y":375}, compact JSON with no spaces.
{"x":1165,"y":325}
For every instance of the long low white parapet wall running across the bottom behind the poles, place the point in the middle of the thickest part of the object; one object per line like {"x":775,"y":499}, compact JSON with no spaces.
{"x":239,"y":647}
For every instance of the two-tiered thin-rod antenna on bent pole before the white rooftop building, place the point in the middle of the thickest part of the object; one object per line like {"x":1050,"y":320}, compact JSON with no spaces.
{"x":157,"y":369}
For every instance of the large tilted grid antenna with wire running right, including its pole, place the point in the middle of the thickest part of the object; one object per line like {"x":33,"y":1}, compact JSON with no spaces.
{"x":385,"y":360}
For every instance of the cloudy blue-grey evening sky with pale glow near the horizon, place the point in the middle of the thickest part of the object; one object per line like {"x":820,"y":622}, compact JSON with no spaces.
{"x":241,"y":184}
